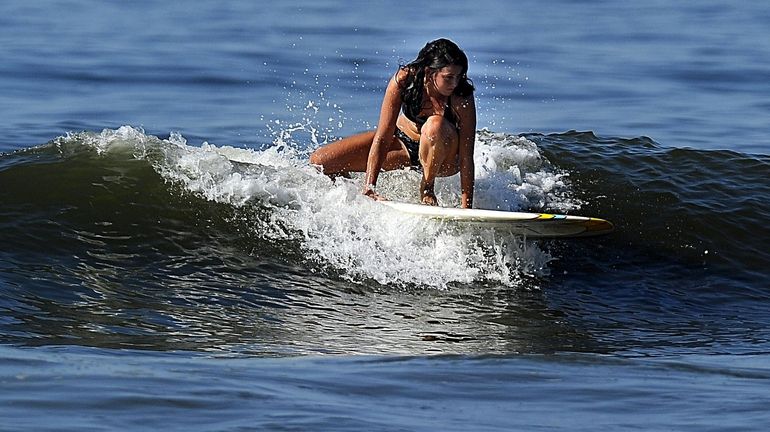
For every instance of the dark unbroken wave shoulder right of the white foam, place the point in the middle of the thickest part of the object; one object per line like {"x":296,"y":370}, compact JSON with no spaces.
{"x":709,"y":207}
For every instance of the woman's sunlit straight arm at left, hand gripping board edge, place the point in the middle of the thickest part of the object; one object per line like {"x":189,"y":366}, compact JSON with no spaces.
{"x":383,"y":136}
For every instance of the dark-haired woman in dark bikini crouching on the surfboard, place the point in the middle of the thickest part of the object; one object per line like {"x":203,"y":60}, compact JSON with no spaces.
{"x":427,"y":121}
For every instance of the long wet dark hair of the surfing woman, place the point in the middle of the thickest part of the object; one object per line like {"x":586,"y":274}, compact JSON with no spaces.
{"x":434,"y":55}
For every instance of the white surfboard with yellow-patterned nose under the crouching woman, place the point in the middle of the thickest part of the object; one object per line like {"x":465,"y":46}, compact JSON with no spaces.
{"x":537,"y":225}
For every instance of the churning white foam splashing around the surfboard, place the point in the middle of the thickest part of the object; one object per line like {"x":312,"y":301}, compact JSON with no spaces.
{"x":341,"y":230}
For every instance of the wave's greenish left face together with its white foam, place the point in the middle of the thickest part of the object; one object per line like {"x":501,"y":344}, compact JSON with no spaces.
{"x":116,"y":193}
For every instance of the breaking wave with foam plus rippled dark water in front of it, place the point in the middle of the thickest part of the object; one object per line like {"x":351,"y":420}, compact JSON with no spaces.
{"x":125,"y":239}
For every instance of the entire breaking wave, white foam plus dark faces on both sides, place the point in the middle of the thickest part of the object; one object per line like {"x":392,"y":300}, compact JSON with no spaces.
{"x":699,"y":207}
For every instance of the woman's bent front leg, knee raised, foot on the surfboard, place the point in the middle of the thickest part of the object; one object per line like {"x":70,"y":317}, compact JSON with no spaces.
{"x":439,"y":144}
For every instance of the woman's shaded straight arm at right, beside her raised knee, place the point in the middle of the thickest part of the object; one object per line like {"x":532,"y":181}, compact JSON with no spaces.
{"x":466,"y":110}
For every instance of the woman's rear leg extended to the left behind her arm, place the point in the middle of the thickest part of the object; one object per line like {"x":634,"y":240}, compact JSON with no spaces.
{"x":350,"y":155}
